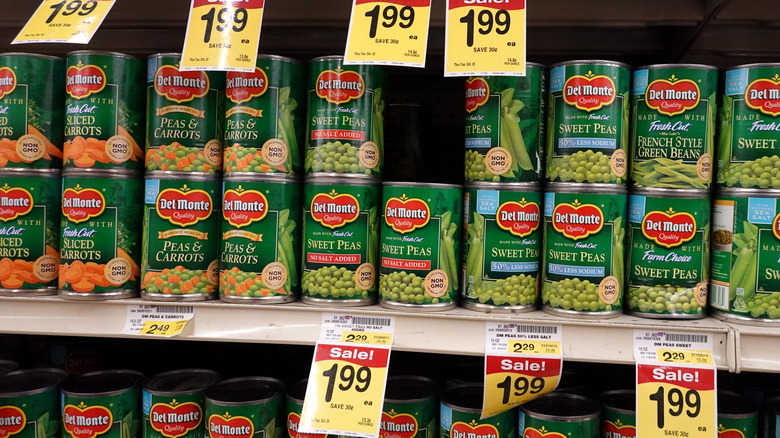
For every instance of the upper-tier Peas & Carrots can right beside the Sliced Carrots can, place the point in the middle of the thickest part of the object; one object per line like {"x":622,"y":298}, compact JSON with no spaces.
{"x":185,"y":117}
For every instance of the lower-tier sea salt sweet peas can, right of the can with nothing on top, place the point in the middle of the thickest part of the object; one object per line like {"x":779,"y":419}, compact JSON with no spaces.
{"x":502,"y":249}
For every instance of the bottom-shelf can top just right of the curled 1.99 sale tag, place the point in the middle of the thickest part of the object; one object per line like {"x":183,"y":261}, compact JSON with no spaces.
{"x":569,"y":415}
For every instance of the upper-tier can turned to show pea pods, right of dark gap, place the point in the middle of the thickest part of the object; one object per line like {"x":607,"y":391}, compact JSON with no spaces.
{"x":505,"y":126}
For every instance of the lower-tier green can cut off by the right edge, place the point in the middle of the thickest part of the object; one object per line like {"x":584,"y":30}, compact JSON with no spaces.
{"x":745,"y":284}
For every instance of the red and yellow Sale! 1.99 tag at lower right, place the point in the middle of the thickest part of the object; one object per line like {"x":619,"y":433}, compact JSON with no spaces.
{"x":675,"y":401}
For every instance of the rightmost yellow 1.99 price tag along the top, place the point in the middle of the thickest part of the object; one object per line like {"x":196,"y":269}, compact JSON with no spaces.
{"x":485,"y":38}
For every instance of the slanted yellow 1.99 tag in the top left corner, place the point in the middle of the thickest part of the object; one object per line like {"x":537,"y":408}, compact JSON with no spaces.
{"x":64,"y":21}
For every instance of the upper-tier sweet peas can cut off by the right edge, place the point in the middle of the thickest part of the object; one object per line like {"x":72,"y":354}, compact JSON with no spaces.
{"x":748,"y":146}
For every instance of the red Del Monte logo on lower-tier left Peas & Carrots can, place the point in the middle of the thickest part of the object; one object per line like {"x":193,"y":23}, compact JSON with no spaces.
{"x":184,"y":207}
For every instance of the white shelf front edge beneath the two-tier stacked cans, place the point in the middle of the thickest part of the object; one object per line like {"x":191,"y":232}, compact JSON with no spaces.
{"x":457,"y":331}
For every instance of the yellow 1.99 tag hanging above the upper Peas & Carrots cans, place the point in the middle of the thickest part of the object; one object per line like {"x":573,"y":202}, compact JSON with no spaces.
{"x":222,"y":35}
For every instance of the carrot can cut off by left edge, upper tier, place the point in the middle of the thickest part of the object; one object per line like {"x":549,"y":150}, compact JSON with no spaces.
{"x":31,"y":128}
